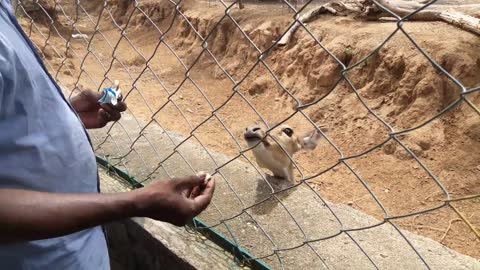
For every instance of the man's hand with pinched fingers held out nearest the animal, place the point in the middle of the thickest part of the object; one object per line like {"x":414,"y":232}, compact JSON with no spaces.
{"x":175,"y":201}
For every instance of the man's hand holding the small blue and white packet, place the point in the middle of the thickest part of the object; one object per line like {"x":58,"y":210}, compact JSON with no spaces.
{"x":92,"y":113}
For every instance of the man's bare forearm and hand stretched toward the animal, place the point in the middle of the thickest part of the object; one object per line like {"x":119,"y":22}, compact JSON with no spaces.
{"x":30,"y":215}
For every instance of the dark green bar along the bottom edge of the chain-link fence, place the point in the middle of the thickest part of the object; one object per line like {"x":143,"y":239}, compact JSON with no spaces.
{"x":213,"y":235}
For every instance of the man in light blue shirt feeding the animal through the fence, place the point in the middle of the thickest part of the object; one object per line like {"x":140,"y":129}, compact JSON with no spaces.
{"x":50,"y":208}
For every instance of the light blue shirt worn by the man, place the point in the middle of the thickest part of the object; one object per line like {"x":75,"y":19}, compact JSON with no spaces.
{"x":43,"y":147}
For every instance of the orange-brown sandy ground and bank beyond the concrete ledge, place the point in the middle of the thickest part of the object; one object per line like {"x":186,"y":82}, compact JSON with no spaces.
{"x":397,"y":83}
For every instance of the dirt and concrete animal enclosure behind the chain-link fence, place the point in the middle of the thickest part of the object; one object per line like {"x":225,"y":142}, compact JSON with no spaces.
{"x":394,"y":181}
